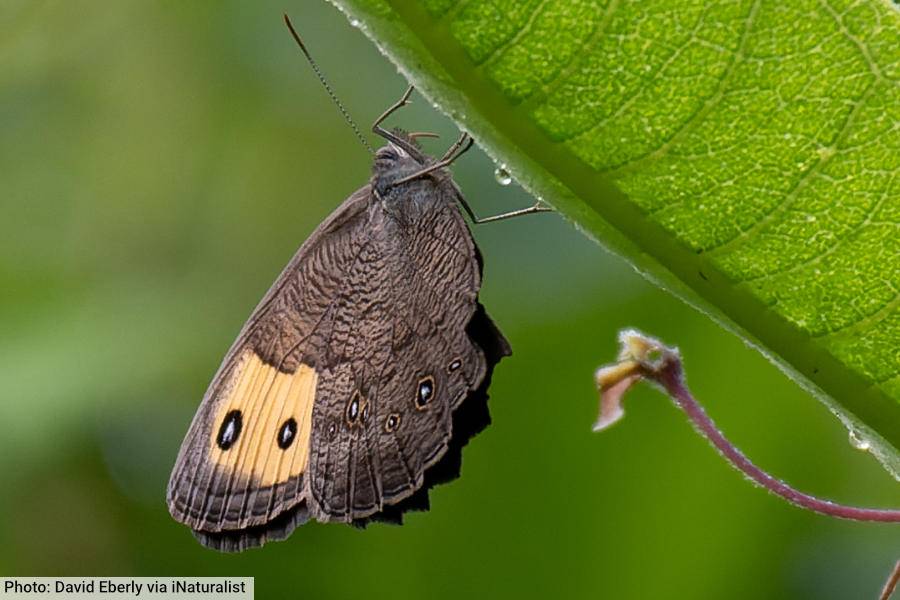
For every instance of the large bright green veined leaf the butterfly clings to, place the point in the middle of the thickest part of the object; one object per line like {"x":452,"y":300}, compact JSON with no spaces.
{"x":745,"y":155}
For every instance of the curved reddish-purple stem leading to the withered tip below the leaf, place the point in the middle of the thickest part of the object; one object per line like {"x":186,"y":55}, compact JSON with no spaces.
{"x":671,"y":379}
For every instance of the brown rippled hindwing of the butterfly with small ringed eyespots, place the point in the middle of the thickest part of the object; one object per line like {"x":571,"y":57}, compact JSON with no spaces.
{"x":383,"y":422}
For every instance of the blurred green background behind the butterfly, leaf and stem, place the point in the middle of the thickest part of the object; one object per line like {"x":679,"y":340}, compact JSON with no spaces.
{"x":161,"y":161}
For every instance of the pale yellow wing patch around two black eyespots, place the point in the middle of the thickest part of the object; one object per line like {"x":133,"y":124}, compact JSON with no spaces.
{"x":267,"y":401}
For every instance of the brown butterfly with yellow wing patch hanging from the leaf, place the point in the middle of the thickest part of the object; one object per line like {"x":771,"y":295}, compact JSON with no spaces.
{"x":356,"y":381}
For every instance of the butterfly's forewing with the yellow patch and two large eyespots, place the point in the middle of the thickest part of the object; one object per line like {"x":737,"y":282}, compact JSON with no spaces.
{"x":268,"y":373}
